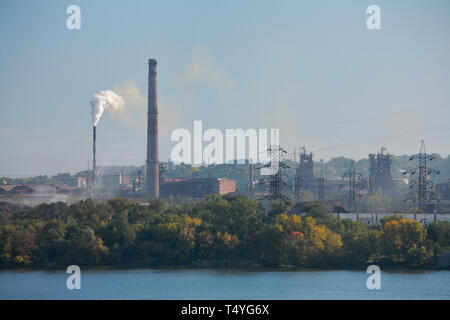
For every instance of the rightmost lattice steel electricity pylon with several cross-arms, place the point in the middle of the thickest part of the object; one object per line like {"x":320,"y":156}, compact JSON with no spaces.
{"x":423,"y":182}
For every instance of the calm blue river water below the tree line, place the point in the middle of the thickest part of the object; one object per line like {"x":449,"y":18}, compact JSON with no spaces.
{"x":223,"y":284}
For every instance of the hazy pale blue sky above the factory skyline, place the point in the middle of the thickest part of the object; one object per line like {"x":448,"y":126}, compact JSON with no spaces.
{"x":310,"y":68}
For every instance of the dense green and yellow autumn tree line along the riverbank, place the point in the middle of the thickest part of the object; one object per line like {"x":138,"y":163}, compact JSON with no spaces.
{"x":228,"y":231}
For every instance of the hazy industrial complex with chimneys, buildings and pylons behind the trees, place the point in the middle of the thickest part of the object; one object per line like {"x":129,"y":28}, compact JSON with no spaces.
{"x":159,"y":179}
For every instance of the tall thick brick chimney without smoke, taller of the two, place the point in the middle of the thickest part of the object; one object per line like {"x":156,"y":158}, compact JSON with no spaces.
{"x":152,"y":133}
